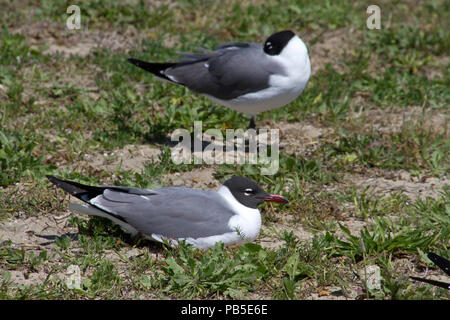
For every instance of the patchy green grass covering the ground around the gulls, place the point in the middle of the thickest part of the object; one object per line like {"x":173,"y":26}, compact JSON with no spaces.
{"x":56,"y":109}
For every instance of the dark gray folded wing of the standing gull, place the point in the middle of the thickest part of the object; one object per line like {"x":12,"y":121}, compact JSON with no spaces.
{"x":232,"y":70}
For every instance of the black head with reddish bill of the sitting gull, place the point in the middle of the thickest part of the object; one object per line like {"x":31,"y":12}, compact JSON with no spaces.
{"x":249,"y":193}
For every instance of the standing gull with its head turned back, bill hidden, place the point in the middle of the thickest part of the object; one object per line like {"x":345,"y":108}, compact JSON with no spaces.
{"x":246,"y":77}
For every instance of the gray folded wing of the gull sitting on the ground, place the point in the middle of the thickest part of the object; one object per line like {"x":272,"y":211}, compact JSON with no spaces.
{"x":173,"y":212}
